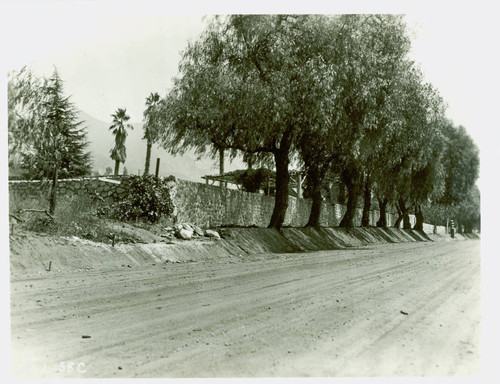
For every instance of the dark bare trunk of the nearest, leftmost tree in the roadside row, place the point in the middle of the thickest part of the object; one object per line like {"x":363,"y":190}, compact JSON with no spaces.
{"x":281,"y":195}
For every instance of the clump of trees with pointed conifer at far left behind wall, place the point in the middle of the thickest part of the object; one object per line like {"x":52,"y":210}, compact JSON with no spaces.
{"x":44,"y":129}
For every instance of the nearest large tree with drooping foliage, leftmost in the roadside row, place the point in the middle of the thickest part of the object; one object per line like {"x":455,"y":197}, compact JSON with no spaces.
{"x":238,"y":86}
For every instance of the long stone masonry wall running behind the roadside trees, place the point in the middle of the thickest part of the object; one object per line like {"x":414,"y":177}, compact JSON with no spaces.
{"x":200,"y":204}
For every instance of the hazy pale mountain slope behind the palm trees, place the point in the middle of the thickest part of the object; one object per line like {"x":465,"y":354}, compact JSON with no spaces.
{"x":101,"y":141}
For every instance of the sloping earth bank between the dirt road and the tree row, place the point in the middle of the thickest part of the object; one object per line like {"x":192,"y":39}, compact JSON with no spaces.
{"x":35,"y":253}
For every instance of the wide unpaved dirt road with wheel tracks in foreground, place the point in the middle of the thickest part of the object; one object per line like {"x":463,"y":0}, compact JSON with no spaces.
{"x":408,"y":309}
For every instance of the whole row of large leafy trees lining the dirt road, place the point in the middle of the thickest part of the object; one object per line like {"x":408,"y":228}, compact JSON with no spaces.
{"x":337,"y":94}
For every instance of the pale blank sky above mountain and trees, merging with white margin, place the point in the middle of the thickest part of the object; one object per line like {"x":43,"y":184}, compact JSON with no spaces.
{"x":113,"y":54}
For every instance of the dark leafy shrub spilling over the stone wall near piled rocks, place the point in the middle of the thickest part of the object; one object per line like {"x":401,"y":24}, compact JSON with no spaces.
{"x":148,"y":199}
